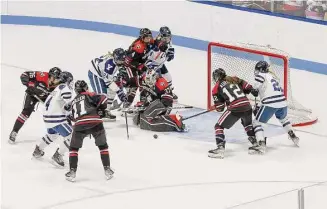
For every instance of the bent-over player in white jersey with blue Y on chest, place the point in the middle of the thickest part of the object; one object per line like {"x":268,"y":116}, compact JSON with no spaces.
{"x":102,"y":76}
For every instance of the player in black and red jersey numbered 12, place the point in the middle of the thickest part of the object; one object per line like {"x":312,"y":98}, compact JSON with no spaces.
{"x":231,"y":92}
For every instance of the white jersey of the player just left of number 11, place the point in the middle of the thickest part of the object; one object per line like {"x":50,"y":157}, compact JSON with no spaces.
{"x":55,"y":113}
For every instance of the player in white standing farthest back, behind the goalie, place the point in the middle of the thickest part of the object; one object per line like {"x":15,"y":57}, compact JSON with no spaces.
{"x":162,"y":51}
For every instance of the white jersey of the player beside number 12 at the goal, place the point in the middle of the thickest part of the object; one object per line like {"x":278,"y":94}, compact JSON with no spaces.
{"x":270,"y":92}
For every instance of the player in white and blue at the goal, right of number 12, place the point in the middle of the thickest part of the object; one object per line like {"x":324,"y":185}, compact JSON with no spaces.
{"x":273,"y":102}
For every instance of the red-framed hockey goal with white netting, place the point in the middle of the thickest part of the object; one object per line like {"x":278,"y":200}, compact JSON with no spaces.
{"x":240,"y":59}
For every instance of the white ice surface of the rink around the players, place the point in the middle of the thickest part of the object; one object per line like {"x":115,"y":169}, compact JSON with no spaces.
{"x":172,"y":171}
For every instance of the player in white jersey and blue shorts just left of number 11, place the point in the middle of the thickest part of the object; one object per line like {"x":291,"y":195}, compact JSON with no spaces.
{"x":55,"y":119}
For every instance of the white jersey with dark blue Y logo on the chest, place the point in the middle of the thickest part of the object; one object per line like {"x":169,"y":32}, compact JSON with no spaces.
{"x":105,"y":68}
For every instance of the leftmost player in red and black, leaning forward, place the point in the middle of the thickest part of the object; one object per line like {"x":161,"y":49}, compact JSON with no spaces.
{"x":39,"y":85}
